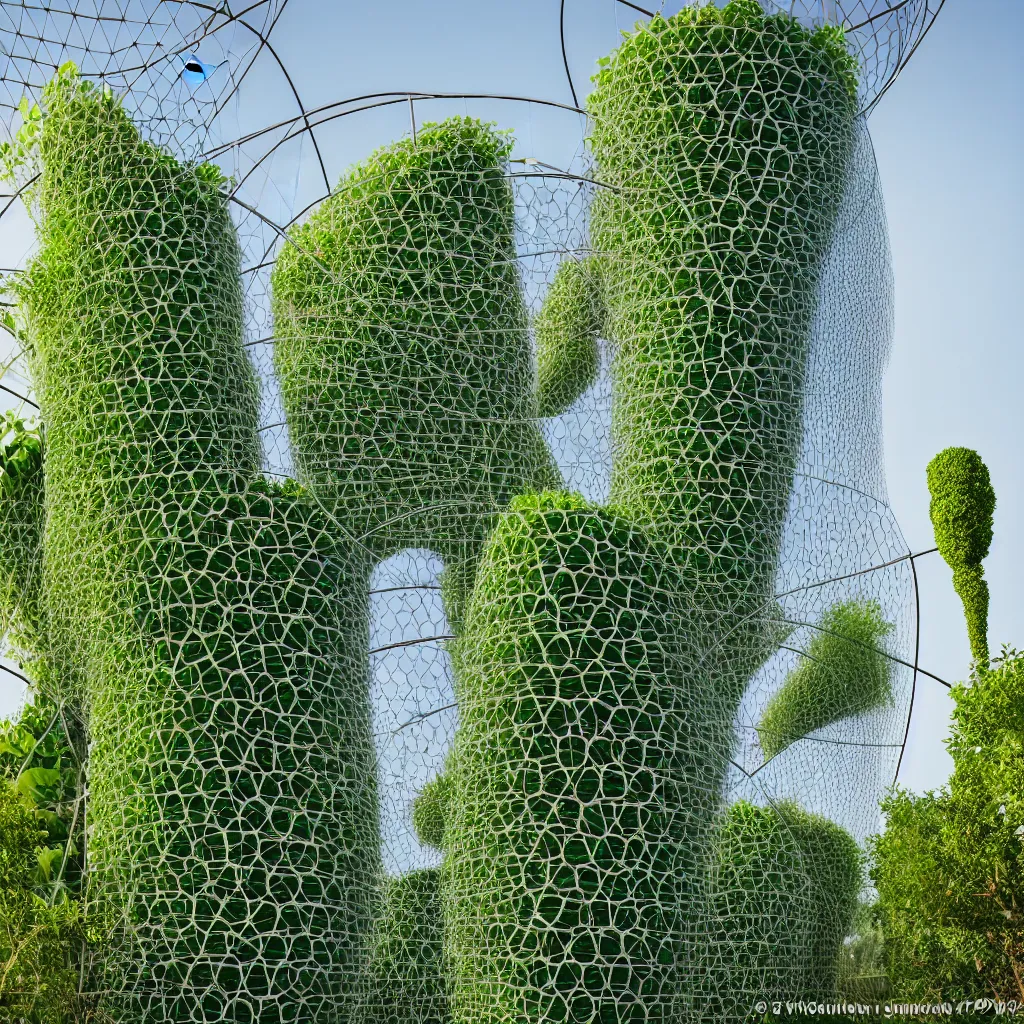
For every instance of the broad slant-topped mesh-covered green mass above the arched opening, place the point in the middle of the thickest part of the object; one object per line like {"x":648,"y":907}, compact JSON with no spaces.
{"x":403,"y":348}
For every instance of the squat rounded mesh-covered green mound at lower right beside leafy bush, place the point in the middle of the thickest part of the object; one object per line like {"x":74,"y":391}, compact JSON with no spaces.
{"x":786,"y":888}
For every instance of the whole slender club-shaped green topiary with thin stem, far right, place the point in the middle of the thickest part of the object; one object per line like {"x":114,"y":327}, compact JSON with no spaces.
{"x":963,"y":503}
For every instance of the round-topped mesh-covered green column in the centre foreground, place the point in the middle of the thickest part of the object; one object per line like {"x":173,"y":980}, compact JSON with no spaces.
{"x":584,"y":779}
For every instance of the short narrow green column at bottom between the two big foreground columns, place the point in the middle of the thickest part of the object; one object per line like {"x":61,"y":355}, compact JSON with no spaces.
{"x":407,"y":982}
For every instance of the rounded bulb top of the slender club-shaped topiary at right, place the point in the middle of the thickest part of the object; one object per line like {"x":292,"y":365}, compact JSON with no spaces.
{"x":963,"y":503}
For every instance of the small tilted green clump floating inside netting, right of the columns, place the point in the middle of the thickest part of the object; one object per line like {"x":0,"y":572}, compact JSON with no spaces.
{"x":844,"y":672}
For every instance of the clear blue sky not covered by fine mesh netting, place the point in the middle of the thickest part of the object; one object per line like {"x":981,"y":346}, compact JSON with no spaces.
{"x":949,"y":143}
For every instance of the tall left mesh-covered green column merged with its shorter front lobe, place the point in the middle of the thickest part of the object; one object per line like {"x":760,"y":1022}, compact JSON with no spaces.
{"x":200,"y":615}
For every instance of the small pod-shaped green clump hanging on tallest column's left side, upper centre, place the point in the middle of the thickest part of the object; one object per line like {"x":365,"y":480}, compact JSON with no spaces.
{"x":567,"y":330}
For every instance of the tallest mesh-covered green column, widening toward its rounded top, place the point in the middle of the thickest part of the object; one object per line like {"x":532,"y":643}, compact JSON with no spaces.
{"x":724,"y":136}
